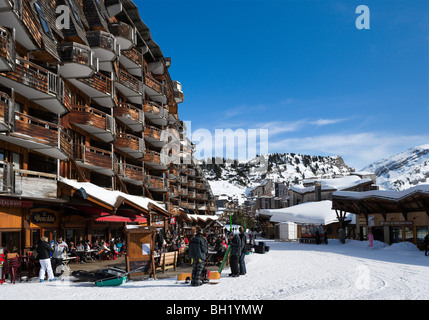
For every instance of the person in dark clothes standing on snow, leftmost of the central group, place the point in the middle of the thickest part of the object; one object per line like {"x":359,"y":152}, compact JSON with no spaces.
{"x":197,"y":253}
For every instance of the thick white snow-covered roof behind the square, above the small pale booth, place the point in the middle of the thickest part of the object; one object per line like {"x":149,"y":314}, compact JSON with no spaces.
{"x":318,"y":212}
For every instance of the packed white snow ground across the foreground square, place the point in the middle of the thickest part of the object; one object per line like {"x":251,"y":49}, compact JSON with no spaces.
{"x":288,"y":271}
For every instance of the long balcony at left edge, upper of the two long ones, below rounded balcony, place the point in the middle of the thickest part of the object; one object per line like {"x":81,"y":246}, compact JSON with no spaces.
{"x":37,"y":84}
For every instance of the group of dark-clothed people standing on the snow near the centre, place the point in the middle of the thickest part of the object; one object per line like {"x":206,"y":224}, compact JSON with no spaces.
{"x":198,"y":250}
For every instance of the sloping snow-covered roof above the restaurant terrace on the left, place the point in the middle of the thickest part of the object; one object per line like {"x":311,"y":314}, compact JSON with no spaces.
{"x":110,"y":197}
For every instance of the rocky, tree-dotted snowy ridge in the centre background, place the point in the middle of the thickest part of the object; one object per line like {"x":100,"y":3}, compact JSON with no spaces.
{"x":232,"y":176}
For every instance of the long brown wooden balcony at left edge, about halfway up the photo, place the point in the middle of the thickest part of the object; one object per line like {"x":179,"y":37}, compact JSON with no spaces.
{"x":39,"y":136}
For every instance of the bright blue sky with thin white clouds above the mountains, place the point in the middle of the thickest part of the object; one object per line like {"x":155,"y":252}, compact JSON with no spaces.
{"x":302,"y":70}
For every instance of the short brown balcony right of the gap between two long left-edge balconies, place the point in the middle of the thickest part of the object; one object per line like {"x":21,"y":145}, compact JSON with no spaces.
{"x":93,"y":122}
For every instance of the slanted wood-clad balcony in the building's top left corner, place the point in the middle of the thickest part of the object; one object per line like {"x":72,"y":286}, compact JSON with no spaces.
{"x":17,"y":14}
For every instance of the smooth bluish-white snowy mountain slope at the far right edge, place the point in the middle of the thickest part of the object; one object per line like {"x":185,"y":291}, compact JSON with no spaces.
{"x":404,"y":170}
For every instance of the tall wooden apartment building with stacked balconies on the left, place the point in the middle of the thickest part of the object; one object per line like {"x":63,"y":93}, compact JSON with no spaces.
{"x":92,"y":103}
